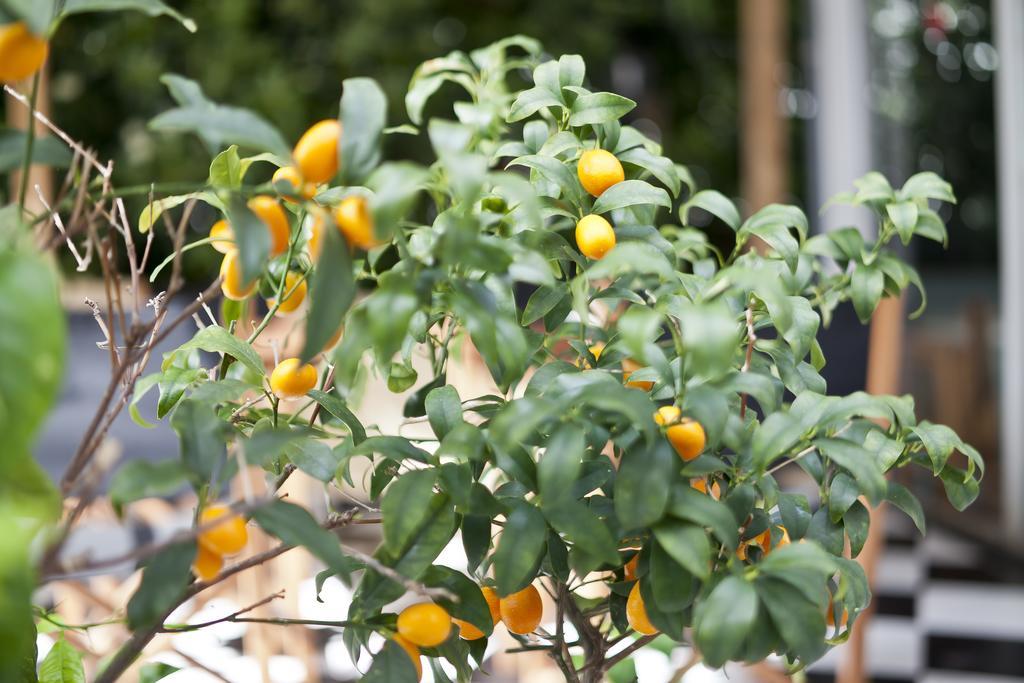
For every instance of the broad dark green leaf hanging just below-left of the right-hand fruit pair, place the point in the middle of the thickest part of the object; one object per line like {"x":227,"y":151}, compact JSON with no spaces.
{"x":644,"y":485}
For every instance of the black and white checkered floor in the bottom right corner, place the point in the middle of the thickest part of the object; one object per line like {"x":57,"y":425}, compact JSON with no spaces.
{"x":947,"y":612}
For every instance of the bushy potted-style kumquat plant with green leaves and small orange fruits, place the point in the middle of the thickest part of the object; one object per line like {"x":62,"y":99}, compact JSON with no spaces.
{"x":619,"y":484}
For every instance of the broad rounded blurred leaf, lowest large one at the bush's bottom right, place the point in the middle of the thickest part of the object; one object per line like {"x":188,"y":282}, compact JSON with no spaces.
{"x":724,"y":619}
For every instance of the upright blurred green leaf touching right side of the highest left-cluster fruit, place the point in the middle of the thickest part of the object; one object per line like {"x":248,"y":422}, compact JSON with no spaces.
{"x":364,"y":115}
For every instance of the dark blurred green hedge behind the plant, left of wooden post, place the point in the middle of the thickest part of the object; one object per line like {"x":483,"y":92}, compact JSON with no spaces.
{"x":287,"y":61}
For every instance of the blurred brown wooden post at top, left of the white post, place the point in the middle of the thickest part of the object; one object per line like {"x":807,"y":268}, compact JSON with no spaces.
{"x":764,"y":134}
